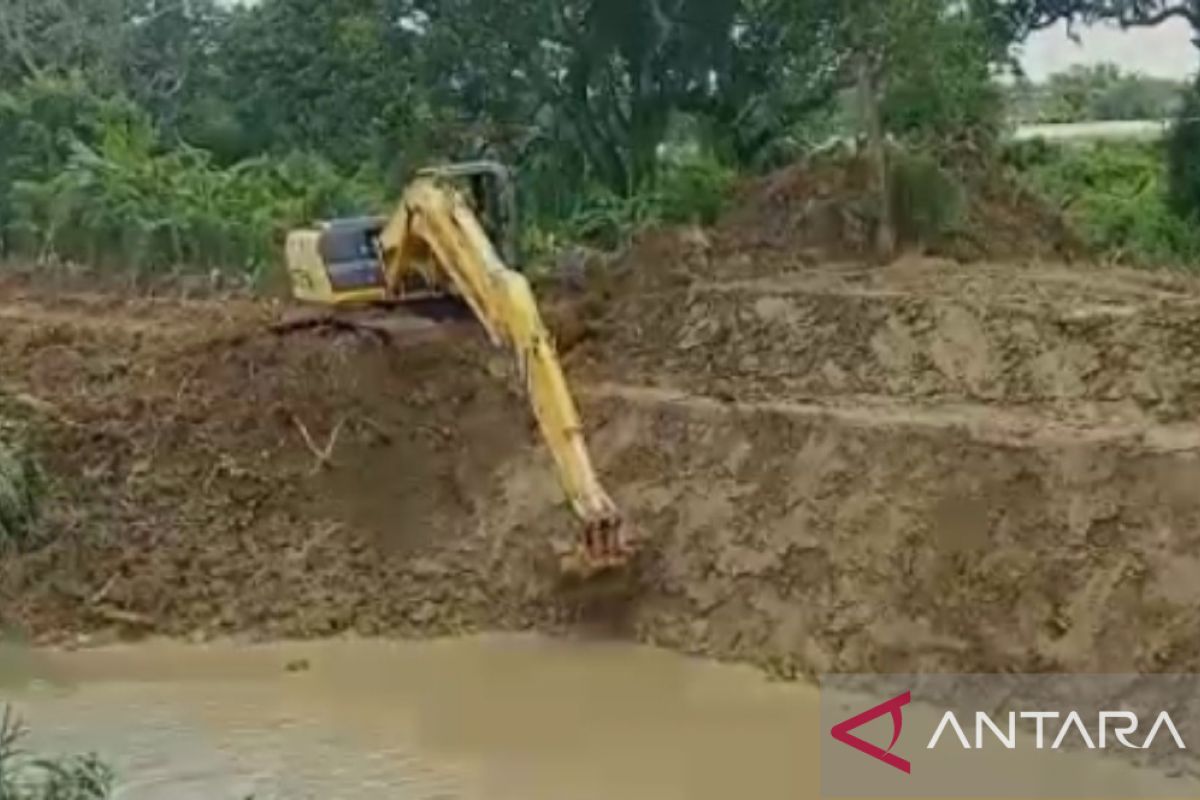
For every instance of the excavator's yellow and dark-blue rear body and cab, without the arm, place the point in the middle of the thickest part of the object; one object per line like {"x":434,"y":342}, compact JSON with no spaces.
{"x":339,"y":262}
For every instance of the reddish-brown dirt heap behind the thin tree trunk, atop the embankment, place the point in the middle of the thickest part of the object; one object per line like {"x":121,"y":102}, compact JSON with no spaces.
{"x":824,"y":210}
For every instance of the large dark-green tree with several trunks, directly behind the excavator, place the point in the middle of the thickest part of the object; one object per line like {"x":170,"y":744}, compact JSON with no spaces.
{"x":605,"y":80}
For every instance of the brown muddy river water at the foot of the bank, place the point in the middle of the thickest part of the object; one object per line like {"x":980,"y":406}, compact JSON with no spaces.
{"x":493,"y":718}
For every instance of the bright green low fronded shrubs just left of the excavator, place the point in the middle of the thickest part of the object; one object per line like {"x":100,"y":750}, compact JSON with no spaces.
{"x":124,"y":204}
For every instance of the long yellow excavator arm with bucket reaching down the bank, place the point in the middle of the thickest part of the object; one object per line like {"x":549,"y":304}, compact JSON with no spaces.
{"x":436,"y":234}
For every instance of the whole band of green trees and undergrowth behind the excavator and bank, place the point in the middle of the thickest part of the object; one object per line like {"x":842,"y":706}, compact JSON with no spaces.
{"x":188,"y":135}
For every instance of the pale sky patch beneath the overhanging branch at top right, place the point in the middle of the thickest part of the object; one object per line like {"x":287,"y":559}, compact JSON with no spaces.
{"x":1165,"y":52}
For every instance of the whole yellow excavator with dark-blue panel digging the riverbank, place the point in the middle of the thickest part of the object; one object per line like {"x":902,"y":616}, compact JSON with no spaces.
{"x":454,"y":234}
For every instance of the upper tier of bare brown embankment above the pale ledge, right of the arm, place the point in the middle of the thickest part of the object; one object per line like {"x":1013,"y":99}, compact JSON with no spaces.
{"x":1058,"y":341}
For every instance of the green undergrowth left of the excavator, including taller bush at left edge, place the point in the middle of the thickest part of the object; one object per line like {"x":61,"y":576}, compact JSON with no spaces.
{"x":89,"y":178}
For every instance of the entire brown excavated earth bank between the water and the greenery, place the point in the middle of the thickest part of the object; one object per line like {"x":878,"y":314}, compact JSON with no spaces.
{"x":923,"y":467}
